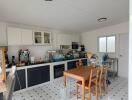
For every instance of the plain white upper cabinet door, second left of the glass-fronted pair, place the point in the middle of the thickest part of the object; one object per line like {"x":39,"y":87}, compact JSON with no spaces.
{"x":14,"y":36}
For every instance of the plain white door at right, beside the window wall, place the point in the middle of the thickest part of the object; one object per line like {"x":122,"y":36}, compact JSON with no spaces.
{"x":123,"y":55}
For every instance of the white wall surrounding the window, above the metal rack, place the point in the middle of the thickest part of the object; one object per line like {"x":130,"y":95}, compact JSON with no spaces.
{"x":89,"y":39}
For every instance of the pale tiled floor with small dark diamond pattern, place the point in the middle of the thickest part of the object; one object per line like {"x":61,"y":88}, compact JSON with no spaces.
{"x":55,"y":91}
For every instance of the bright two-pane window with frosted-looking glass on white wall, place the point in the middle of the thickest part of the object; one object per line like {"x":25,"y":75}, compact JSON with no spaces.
{"x":106,"y":44}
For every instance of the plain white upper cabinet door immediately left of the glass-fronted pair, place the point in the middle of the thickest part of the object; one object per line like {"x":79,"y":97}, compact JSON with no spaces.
{"x":27,"y":38}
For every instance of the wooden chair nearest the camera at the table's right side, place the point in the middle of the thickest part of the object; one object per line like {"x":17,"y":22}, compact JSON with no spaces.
{"x":90,"y":83}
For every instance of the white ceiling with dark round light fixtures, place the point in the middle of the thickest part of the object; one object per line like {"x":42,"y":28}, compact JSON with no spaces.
{"x":66,"y":15}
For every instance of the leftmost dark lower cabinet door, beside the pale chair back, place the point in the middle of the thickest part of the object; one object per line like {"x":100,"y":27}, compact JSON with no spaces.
{"x":20,"y":82}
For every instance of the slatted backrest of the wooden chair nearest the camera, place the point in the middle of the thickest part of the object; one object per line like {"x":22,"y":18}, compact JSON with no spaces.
{"x":94,"y":74}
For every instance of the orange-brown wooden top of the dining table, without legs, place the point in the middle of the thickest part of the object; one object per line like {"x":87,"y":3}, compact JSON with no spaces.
{"x":79,"y":73}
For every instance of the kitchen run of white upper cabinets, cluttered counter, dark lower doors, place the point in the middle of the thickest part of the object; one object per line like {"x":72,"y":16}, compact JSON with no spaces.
{"x":30,"y":55}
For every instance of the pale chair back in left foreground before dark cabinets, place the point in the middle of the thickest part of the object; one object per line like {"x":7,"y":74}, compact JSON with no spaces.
{"x":10,"y":83}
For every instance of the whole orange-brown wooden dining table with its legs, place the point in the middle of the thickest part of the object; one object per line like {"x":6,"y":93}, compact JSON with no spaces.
{"x":80,"y":74}
